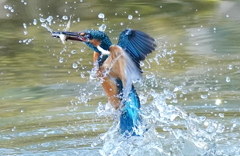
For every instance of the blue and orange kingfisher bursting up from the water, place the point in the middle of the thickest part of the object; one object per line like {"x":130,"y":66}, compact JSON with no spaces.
{"x":118,"y":66}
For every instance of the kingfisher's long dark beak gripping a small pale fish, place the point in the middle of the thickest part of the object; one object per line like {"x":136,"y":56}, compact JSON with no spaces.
{"x":67,"y":35}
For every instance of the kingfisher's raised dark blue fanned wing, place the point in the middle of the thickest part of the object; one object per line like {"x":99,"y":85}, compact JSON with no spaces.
{"x":137,"y":44}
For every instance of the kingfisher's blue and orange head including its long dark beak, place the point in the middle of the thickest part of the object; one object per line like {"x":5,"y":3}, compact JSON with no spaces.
{"x":94,"y":39}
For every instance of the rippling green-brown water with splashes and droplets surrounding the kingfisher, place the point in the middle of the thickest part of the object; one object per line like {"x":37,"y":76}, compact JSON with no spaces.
{"x":190,"y":91}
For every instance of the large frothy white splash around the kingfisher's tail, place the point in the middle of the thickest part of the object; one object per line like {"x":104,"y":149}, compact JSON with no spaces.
{"x":171,"y":131}
